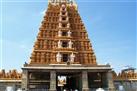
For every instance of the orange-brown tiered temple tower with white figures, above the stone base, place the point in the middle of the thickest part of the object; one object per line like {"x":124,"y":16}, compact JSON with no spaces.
{"x":62,"y":38}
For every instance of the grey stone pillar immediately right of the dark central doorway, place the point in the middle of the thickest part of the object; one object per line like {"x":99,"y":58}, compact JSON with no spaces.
{"x":85,"y":81}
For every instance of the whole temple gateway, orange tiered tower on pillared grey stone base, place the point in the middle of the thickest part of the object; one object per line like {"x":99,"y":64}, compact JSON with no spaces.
{"x":62,"y":58}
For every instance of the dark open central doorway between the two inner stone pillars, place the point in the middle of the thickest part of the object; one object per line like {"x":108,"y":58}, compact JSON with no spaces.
{"x":69,"y":82}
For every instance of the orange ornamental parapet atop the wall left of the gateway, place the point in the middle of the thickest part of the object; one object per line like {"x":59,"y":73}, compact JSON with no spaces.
{"x":11,"y":75}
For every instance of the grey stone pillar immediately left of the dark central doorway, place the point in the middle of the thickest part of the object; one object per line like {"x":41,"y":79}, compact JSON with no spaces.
{"x":52,"y":81}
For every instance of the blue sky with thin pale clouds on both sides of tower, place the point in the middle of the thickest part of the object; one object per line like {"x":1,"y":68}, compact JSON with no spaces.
{"x":111,"y":26}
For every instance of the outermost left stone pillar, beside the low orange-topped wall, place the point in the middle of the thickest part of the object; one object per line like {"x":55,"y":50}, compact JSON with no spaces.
{"x":25,"y":80}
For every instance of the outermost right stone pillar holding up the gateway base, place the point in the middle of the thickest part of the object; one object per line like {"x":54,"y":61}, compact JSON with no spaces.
{"x":110,"y":81}
